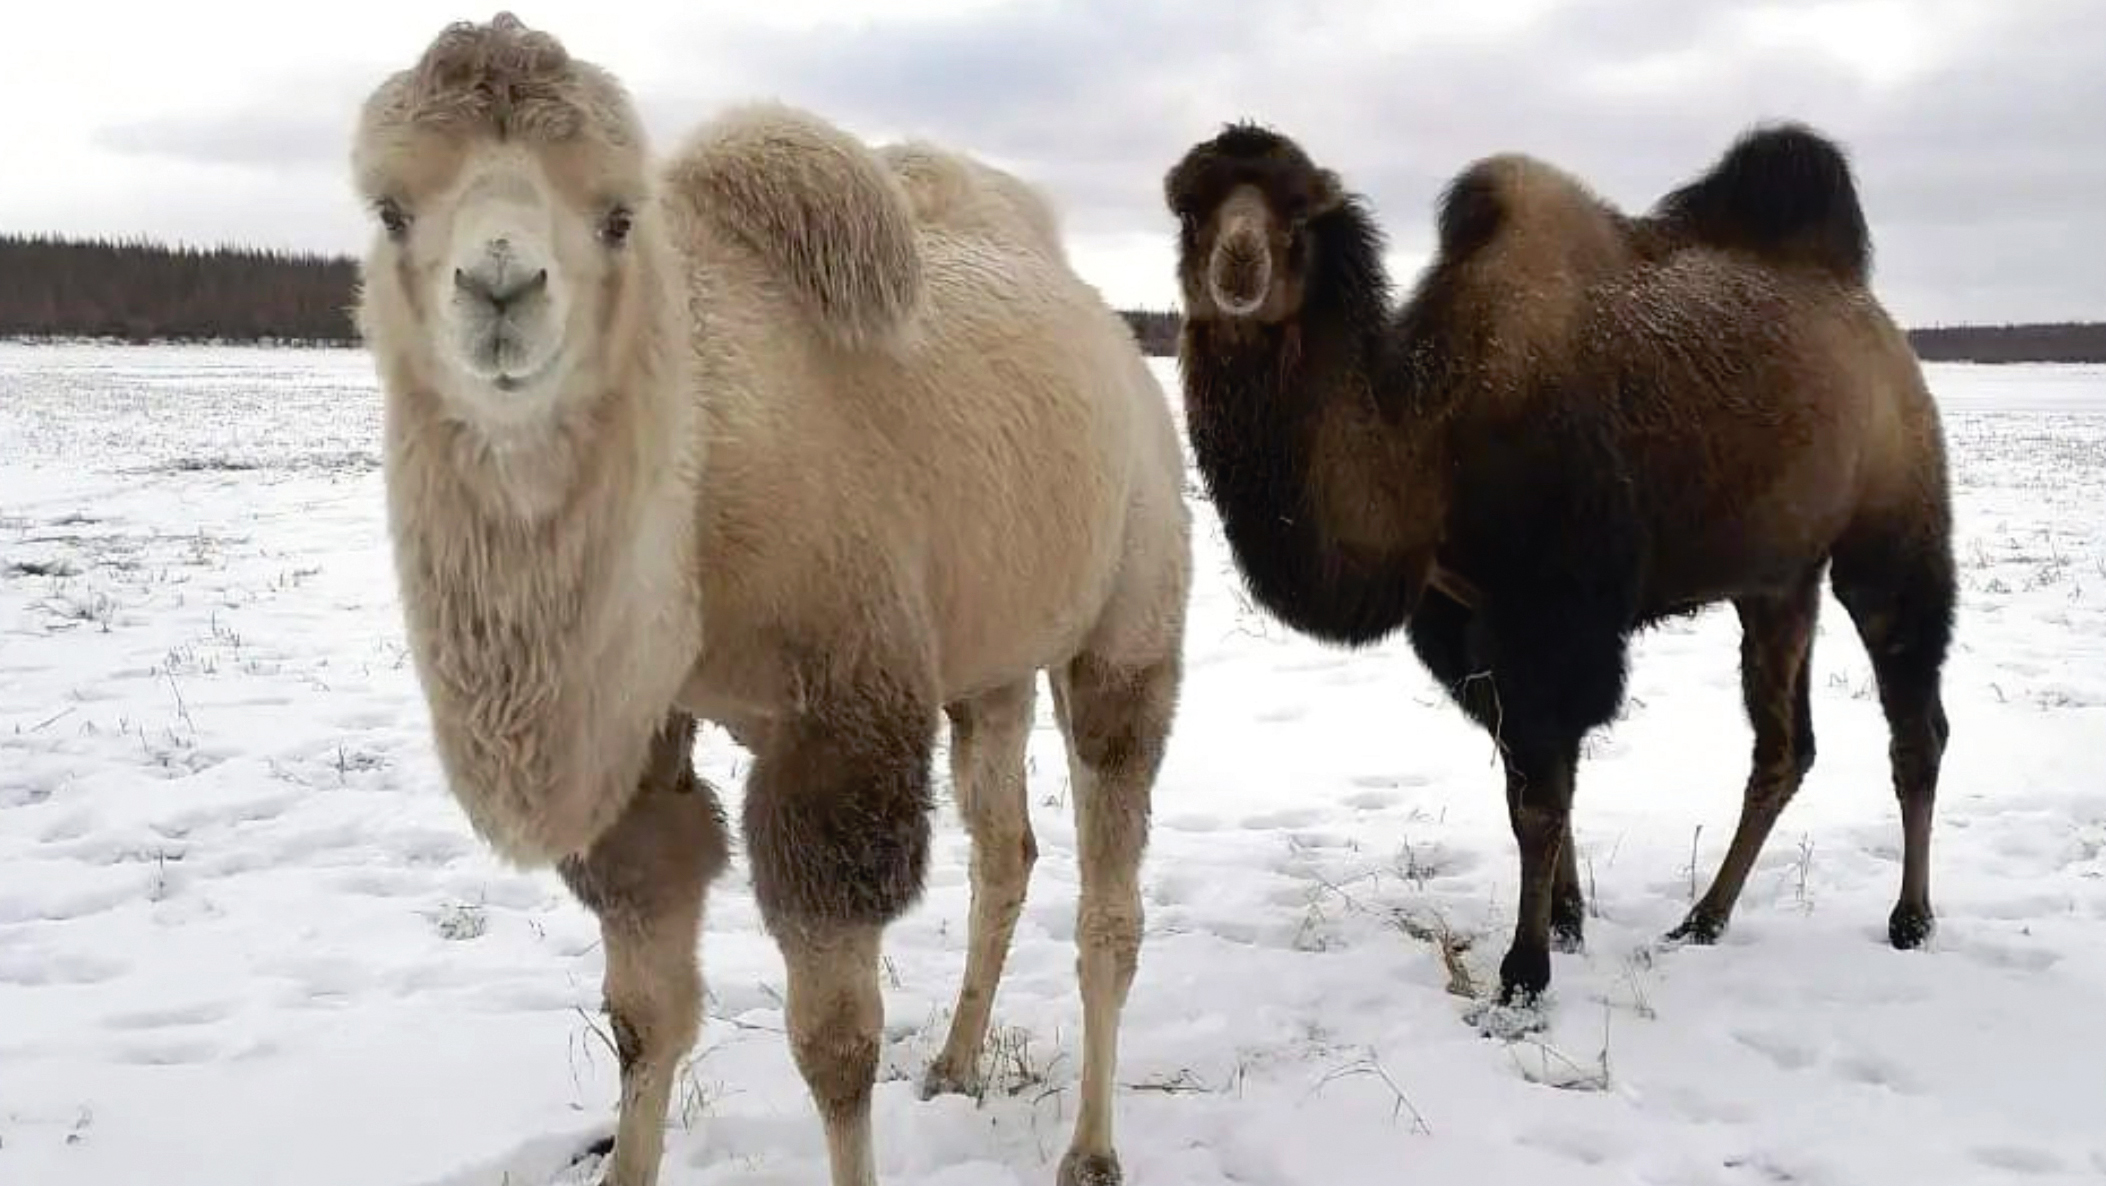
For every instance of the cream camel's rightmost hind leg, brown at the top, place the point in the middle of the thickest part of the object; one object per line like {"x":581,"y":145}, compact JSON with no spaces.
{"x":1117,"y":719}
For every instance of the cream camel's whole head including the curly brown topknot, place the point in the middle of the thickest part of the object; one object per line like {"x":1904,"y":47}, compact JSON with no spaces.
{"x":509,"y":186}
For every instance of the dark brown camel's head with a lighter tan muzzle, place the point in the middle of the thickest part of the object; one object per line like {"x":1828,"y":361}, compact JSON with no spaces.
{"x":1244,"y":203}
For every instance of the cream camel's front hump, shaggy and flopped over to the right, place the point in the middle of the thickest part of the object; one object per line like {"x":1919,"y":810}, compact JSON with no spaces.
{"x":818,"y":207}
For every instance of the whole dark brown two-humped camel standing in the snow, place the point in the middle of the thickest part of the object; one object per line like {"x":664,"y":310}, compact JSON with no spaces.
{"x":1578,"y":424}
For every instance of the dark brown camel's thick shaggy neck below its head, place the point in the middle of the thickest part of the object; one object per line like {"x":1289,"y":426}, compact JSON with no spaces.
{"x":1317,"y":448}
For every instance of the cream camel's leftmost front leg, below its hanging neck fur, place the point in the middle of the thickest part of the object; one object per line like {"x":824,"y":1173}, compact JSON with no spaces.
{"x":645,"y":879}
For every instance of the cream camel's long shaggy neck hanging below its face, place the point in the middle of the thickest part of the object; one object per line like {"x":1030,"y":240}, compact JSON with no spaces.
{"x":544,"y":582}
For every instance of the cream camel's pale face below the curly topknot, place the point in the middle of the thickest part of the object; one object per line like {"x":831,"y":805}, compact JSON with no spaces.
{"x":511,"y":264}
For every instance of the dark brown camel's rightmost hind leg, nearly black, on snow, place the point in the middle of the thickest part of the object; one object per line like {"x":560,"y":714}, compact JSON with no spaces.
{"x":1901,"y":595}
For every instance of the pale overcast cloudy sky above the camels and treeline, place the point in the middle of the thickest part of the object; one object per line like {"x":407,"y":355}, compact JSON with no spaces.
{"x":1979,"y":127}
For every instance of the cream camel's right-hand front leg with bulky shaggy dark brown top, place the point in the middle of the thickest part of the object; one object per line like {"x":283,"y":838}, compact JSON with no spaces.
{"x":837,"y":829}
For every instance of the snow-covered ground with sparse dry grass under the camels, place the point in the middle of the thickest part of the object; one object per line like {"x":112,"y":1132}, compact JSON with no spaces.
{"x":245,"y":938}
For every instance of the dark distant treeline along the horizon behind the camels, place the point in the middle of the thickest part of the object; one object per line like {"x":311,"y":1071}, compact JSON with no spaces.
{"x":146,"y":292}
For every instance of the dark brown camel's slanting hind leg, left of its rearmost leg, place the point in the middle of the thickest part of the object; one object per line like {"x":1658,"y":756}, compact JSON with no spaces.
{"x":1776,"y":648}
